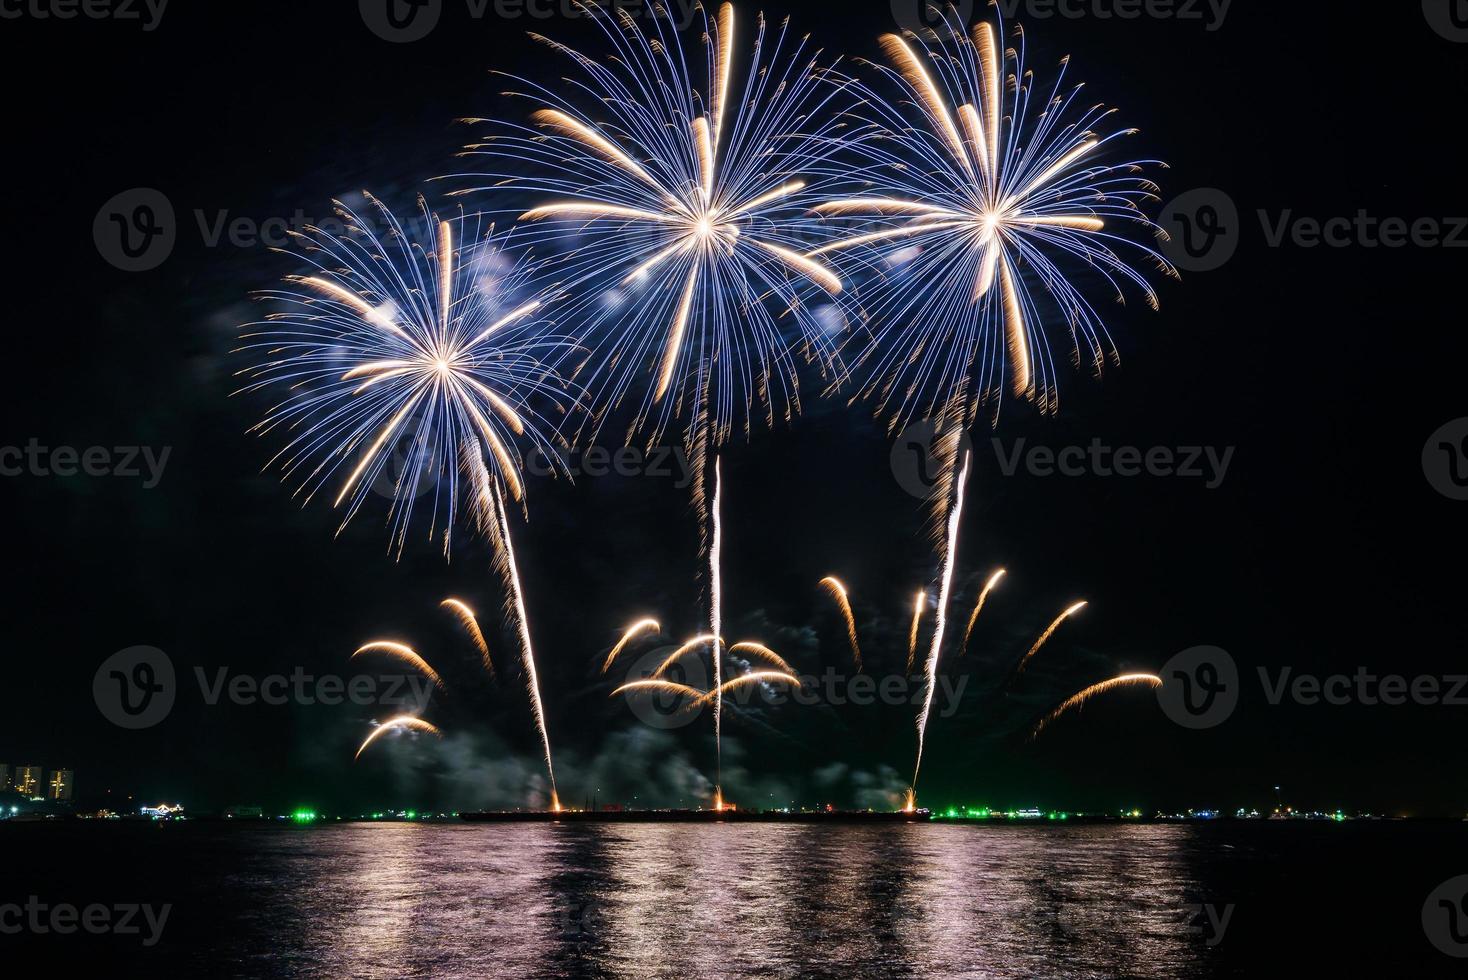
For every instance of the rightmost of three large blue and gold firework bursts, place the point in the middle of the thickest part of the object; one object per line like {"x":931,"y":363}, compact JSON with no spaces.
{"x":980,"y":190}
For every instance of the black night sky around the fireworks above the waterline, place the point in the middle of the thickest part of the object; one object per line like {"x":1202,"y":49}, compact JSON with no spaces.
{"x":1325,"y":551}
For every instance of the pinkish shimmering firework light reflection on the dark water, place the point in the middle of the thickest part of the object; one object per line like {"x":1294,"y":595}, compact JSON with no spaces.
{"x":726,"y":902}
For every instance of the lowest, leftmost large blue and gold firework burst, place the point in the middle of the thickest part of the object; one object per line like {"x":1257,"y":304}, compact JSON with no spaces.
{"x":426,"y":347}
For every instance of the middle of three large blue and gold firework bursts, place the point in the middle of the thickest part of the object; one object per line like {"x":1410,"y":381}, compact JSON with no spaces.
{"x":680,"y":216}
